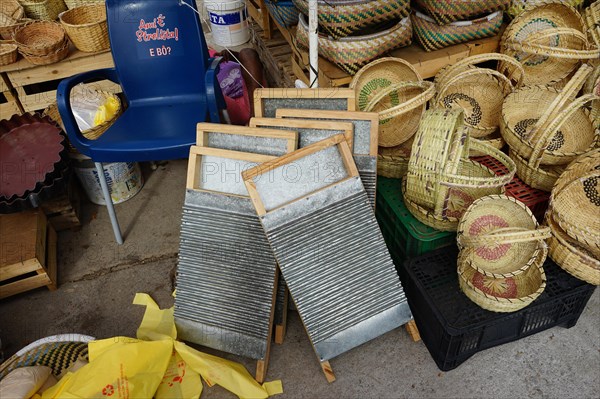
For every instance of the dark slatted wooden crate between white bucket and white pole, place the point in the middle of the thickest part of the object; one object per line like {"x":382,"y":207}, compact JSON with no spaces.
{"x":276,"y":56}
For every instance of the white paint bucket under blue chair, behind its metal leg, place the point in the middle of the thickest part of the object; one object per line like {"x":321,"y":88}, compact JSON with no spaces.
{"x":124,"y":179}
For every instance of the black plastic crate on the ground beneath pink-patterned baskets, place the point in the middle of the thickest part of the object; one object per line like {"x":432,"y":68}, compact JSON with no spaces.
{"x":453,"y":328}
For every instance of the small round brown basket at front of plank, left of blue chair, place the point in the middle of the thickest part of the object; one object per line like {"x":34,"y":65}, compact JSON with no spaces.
{"x":42,"y":42}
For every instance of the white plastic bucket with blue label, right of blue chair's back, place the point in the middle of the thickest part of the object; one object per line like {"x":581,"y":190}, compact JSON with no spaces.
{"x":228,"y":22}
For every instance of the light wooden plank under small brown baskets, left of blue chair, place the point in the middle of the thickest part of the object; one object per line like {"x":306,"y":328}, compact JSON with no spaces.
{"x":23,"y":73}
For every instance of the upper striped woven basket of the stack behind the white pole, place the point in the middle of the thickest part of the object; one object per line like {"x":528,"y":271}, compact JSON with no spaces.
{"x":340,"y":18}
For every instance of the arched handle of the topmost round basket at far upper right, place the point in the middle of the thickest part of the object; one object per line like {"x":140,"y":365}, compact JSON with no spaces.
{"x":555,"y":52}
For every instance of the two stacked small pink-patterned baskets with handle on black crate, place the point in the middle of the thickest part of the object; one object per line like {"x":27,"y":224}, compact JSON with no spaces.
{"x":502,"y":250}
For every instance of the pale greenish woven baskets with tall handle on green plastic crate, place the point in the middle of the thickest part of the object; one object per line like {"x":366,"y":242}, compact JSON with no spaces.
{"x":442,"y":181}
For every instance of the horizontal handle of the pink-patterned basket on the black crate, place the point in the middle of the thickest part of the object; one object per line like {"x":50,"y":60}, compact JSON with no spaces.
{"x":505,"y":235}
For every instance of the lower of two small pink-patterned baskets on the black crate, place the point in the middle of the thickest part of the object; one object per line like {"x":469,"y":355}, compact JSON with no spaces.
{"x":502,"y":294}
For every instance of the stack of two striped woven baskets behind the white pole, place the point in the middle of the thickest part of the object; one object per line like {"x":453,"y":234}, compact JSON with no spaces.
{"x":356,"y":32}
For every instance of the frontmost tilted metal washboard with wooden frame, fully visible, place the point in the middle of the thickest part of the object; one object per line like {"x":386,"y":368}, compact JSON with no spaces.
{"x":329,"y":247}
